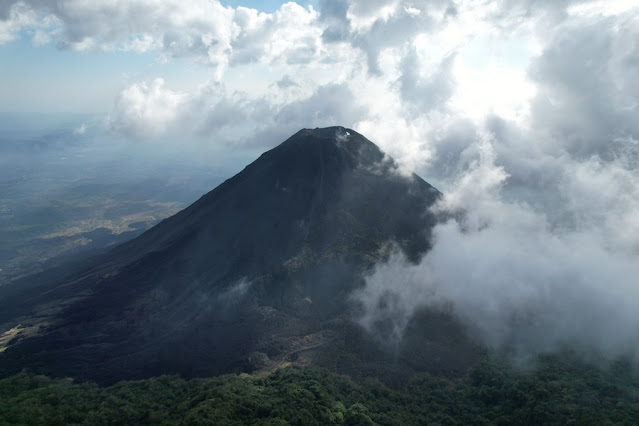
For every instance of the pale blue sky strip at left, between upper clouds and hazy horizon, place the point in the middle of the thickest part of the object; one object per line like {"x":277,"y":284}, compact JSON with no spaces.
{"x":46,"y":79}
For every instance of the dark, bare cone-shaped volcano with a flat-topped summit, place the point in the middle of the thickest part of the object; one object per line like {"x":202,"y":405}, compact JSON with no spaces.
{"x":256,"y":272}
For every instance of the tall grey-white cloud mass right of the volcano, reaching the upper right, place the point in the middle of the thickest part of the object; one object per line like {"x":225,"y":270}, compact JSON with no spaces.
{"x":544,"y":254}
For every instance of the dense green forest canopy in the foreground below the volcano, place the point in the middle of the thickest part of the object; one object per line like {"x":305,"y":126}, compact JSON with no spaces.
{"x":555,"y":391}
